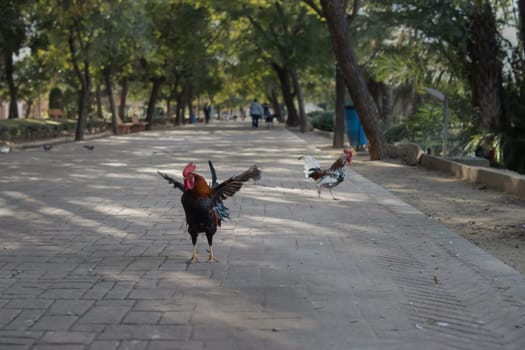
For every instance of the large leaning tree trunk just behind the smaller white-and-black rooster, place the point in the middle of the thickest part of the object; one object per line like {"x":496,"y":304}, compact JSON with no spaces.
{"x":336,"y":19}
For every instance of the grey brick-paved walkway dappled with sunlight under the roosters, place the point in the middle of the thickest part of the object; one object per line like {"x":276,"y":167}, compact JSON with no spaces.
{"x":93,"y":253}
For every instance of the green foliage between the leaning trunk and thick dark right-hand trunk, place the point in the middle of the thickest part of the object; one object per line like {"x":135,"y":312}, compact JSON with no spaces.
{"x":415,"y":44}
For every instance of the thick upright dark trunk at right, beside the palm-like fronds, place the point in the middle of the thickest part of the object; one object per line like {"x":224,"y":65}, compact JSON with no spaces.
{"x":486,"y":68}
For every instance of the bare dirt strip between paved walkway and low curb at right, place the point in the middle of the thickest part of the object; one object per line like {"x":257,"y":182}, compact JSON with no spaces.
{"x":492,"y":220}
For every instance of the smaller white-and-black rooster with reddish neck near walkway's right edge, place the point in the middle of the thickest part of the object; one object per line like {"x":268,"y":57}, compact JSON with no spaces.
{"x":328,"y":178}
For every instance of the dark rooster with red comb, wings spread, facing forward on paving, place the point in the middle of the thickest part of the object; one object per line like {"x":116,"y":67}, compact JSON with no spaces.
{"x":203,"y":204}
